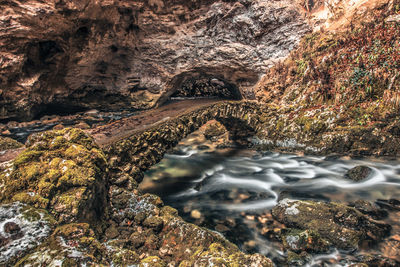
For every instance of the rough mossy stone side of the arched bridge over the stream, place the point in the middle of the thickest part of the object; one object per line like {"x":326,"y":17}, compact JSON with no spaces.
{"x":137,"y":153}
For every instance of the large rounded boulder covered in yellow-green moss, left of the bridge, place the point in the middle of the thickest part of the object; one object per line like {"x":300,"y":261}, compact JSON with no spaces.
{"x":62,"y":171}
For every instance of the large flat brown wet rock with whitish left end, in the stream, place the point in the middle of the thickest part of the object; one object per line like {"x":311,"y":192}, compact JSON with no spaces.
{"x":341,"y":225}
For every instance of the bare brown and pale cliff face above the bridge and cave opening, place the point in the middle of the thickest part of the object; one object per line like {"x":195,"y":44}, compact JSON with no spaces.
{"x":62,"y":56}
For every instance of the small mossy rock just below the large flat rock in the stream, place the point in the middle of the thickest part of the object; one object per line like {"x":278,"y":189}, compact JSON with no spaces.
{"x":303,"y":240}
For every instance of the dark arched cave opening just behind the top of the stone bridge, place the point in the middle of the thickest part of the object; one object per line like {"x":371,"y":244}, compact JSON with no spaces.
{"x":206,"y":86}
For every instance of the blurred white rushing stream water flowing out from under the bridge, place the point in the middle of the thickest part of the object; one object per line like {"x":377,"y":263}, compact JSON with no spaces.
{"x":233,"y":191}
